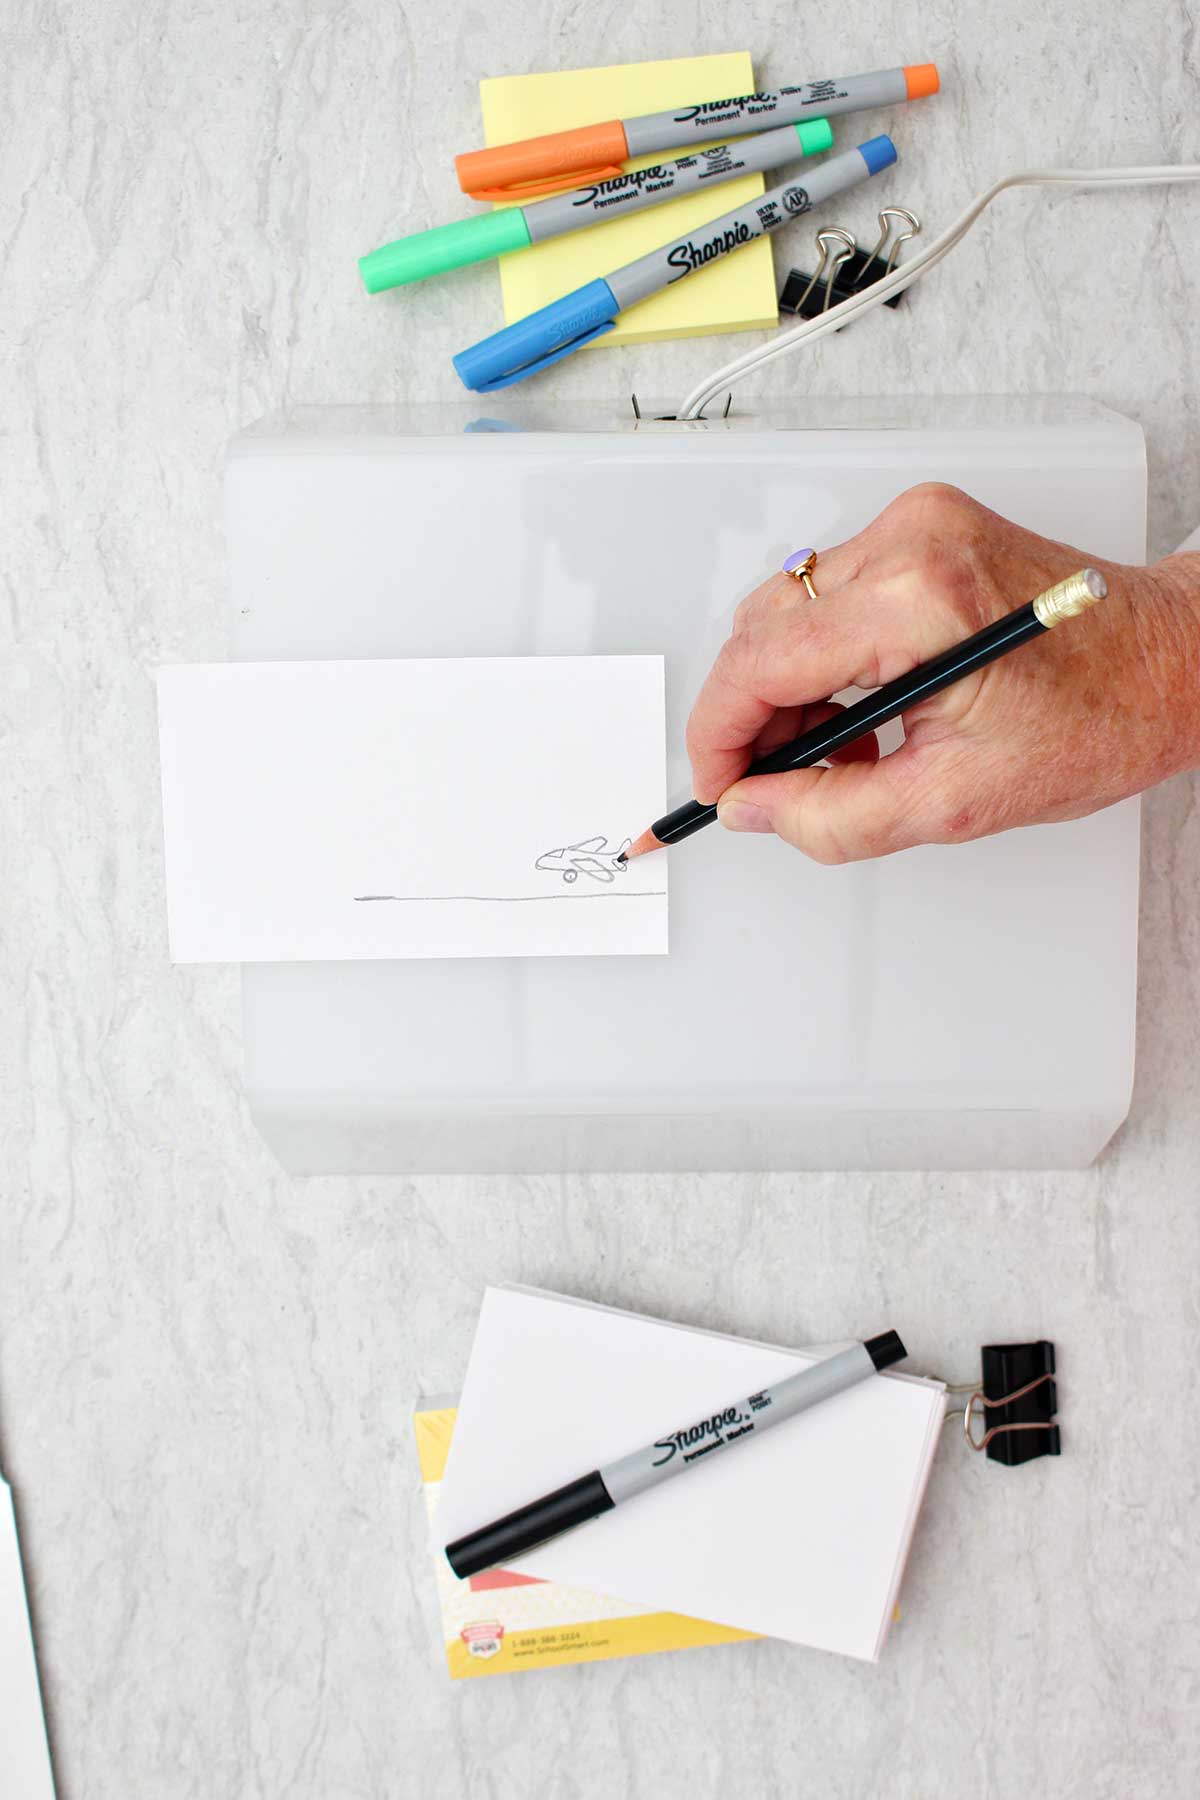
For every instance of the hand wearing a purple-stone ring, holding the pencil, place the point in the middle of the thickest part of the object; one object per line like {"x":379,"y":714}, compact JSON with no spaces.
{"x":1097,"y":710}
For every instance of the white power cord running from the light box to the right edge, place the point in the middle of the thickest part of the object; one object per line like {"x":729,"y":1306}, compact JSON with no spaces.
{"x":902,"y":278}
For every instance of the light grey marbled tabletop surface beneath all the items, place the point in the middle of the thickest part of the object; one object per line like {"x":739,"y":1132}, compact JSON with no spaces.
{"x":206,"y":1371}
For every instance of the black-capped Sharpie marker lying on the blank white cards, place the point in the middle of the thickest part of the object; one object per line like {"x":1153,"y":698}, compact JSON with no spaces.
{"x":667,"y":1457}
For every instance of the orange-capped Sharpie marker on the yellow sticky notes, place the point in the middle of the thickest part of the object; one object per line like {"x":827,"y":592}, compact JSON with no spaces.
{"x":596,"y":152}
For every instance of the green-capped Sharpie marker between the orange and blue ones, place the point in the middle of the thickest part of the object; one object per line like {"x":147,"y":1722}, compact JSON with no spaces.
{"x":433,"y":253}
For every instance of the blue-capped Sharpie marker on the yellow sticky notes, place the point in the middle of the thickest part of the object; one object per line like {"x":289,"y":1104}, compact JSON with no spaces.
{"x":580,"y":318}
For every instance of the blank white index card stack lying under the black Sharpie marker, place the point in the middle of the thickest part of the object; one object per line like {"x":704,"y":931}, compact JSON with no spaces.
{"x":800,"y":1534}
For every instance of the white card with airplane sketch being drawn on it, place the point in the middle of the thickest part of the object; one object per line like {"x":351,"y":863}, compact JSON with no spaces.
{"x":409,"y":809}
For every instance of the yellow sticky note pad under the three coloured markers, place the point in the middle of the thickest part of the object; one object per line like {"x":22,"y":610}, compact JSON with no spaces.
{"x":733,"y":294}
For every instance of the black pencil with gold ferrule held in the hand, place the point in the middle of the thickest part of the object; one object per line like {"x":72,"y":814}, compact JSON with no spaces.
{"x":1066,"y":600}
